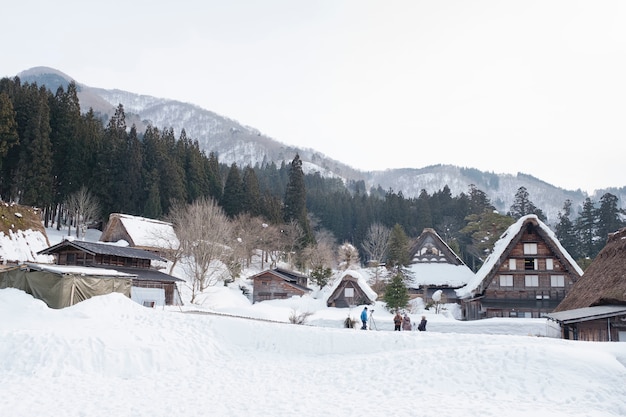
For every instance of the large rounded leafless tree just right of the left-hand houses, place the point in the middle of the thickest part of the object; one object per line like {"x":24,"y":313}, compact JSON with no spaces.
{"x":205,"y":235}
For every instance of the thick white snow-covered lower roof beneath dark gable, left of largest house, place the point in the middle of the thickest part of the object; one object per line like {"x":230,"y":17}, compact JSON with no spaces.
{"x":439,"y":274}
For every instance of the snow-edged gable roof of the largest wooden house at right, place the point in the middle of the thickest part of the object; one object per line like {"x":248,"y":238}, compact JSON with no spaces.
{"x":502,"y":244}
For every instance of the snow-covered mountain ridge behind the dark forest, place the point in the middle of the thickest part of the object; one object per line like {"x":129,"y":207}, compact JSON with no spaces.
{"x":235,"y":142}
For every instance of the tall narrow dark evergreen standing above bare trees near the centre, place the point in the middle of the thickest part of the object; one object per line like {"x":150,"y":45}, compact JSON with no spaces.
{"x":294,"y":208}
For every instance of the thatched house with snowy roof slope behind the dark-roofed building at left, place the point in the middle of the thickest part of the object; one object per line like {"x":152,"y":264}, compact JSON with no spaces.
{"x":140,"y":232}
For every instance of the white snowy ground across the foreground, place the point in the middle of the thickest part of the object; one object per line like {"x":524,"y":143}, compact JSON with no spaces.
{"x":109,"y":356}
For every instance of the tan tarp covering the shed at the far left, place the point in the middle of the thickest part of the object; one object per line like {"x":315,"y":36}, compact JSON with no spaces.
{"x":62,"y":290}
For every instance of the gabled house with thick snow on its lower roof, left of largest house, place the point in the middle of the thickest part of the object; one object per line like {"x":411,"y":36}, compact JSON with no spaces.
{"x":435,"y":266}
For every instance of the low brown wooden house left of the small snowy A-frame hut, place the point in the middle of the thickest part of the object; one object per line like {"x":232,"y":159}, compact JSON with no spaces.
{"x":278,"y":283}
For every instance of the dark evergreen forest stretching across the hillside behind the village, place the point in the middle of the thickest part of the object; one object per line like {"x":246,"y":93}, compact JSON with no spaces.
{"x":49,"y":151}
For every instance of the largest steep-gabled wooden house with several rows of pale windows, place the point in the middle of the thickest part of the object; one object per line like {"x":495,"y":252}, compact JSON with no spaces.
{"x":527,"y":274}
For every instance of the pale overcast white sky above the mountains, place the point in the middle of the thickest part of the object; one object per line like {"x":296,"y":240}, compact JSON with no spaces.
{"x":537,"y":87}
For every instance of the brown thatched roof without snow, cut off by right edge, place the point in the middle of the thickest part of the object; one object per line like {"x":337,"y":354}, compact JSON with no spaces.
{"x":604,"y":281}
